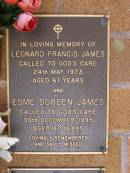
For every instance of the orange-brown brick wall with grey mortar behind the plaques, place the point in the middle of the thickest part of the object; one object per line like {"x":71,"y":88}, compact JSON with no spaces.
{"x":118,"y":158}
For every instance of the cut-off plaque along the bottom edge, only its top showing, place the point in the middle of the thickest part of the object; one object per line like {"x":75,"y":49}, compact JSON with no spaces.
{"x":84,"y":170}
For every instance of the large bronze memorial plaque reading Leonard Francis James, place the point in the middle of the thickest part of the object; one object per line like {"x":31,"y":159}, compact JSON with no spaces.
{"x":58,"y":85}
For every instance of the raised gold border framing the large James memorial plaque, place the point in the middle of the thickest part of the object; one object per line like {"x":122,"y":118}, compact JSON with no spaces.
{"x":108,"y":59}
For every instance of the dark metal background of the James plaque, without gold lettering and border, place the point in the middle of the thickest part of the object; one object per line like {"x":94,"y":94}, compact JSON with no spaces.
{"x":94,"y":86}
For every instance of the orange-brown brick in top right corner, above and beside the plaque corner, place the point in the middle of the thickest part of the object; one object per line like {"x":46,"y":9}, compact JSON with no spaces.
{"x":118,"y":10}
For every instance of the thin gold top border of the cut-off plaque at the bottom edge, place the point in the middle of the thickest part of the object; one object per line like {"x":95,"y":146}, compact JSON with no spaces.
{"x":56,"y":169}
